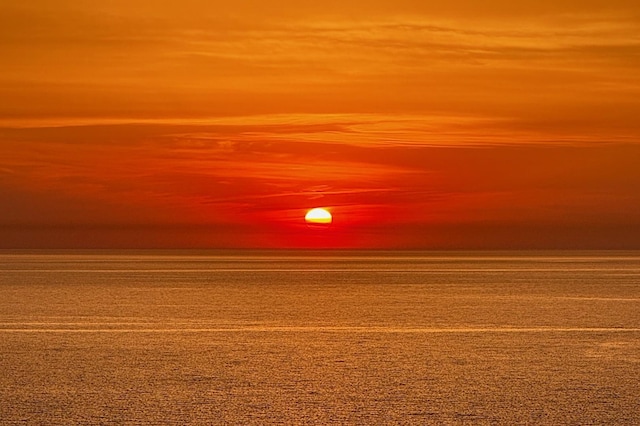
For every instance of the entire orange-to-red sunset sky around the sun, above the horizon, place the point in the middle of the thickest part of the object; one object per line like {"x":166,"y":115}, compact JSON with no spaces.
{"x":417,"y":124}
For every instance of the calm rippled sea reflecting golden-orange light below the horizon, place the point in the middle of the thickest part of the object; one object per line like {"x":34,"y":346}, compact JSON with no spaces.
{"x":319,"y":338}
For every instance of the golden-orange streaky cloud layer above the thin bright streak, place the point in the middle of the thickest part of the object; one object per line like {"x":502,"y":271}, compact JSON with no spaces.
{"x":134,"y":61}
